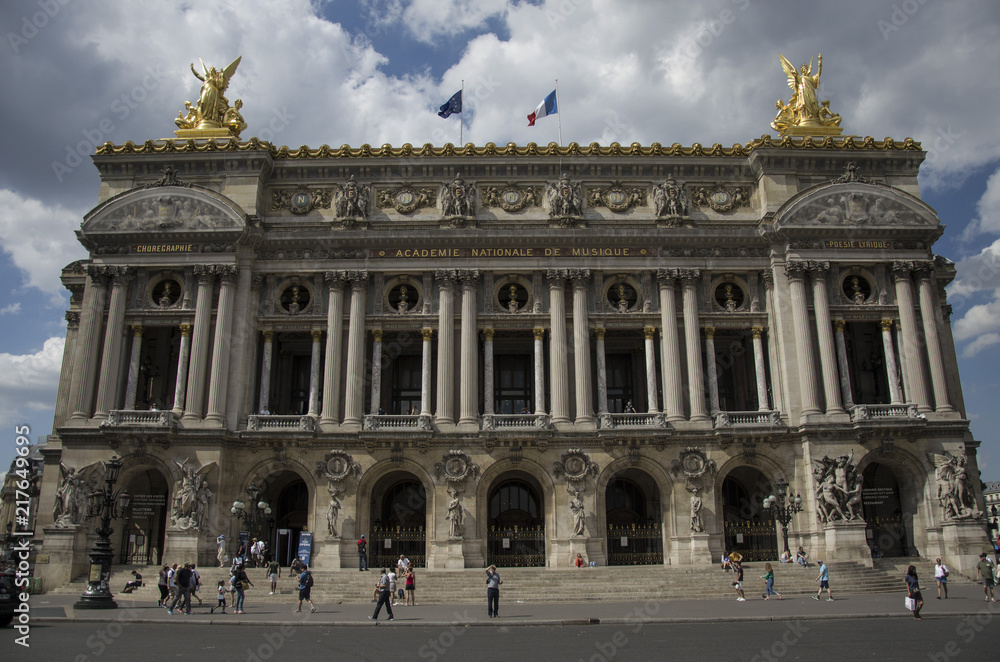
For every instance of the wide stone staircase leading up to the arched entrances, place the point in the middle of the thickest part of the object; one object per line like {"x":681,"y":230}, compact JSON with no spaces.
{"x":607,"y":584}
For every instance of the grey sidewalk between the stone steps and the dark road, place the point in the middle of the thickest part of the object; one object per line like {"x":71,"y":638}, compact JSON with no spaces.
{"x":965,"y":600}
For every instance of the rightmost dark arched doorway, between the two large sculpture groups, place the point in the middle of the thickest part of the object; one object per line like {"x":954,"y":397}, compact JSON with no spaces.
{"x":885,"y":521}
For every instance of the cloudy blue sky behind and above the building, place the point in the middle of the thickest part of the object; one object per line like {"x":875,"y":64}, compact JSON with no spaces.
{"x":75,"y":74}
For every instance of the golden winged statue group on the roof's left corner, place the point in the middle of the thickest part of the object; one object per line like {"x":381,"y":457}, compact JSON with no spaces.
{"x":211,"y":116}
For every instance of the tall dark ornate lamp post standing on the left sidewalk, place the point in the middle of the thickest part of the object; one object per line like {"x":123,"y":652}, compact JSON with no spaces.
{"x":108,"y":504}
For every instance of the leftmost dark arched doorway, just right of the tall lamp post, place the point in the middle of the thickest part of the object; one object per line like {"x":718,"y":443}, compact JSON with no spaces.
{"x":143,"y":528}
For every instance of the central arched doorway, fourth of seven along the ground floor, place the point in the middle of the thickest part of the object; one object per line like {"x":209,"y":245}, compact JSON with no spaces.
{"x":515,"y":522}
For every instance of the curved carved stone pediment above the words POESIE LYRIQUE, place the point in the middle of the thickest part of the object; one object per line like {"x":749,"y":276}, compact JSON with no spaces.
{"x":856,"y":204}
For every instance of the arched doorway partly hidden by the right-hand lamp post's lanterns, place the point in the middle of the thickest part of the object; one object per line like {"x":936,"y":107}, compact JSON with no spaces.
{"x":748,"y":528}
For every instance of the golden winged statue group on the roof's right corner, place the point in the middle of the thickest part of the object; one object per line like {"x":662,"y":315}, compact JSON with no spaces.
{"x":805,"y":114}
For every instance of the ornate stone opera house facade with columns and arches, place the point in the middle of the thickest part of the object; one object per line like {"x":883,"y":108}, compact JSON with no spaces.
{"x":512,"y":355}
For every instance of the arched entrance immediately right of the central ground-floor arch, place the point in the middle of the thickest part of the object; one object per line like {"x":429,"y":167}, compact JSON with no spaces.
{"x":634,"y":520}
